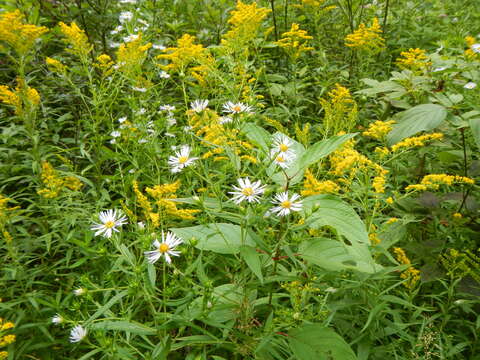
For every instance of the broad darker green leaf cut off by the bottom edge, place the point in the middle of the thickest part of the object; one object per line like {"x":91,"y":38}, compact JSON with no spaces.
{"x":316,"y":342}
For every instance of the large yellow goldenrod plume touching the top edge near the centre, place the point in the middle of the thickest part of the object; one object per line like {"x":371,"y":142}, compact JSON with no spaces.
{"x":244,"y":22}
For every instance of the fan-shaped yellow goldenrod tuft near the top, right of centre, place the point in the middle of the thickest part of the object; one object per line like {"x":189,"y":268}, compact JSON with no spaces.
{"x":366,"y":38}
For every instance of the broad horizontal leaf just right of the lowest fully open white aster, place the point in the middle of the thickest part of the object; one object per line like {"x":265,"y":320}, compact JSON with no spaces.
{"x":217,"y":237}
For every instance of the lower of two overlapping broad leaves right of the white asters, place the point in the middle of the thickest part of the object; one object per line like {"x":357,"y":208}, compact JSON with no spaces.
{"x":333,"y":255}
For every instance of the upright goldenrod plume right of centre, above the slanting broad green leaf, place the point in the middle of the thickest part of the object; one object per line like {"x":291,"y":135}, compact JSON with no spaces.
{"x":340,"y":112}
